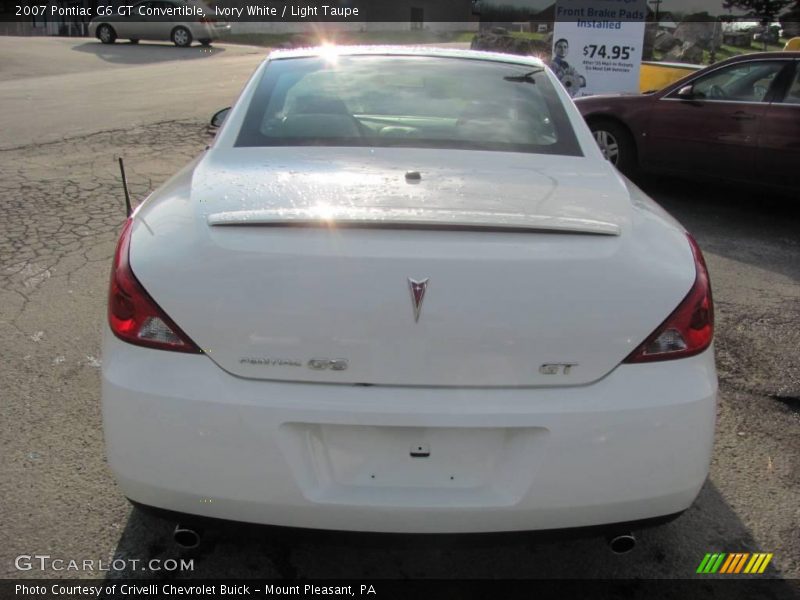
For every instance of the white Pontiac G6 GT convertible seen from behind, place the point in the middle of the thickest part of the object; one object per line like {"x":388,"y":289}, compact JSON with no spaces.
{"x":403,"y":291}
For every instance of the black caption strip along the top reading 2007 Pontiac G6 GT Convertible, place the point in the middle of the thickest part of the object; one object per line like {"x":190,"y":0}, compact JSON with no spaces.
{"x":411,"y":12}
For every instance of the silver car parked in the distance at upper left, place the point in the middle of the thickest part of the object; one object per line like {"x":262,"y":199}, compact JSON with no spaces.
{"x":150,"y":20}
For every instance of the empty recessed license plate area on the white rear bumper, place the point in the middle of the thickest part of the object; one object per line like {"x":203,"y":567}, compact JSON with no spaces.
{"x":412,"y":466}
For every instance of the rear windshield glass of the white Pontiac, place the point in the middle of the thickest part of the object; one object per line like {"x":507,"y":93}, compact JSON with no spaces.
{"x":408,"y":101}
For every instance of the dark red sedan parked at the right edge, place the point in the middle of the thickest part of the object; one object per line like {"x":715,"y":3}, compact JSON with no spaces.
{"x":738,"y":120}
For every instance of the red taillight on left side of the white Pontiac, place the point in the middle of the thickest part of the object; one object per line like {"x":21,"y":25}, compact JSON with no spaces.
{"x":133,"y":315}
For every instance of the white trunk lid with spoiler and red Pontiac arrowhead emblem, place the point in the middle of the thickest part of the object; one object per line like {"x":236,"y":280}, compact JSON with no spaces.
{"x":311,"y":269}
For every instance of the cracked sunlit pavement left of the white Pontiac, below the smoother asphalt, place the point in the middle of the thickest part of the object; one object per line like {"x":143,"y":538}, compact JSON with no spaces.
{"x":62,"y":207}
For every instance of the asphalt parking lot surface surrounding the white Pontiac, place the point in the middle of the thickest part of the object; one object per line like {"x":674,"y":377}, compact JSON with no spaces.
{"x":61,"y":207}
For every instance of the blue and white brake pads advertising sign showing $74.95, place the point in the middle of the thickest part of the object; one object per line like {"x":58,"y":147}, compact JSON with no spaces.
{"x":597,"y":46}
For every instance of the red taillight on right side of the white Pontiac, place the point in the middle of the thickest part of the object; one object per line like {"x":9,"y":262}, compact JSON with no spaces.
{"x":690,"y":328}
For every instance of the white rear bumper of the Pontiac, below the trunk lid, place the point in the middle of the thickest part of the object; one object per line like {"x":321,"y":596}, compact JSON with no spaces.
{"x":185,"y":436}
